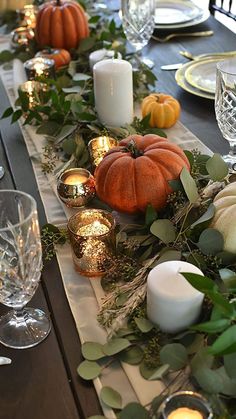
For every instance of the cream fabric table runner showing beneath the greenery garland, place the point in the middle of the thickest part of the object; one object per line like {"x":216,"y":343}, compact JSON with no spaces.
{"x":84,"y":295}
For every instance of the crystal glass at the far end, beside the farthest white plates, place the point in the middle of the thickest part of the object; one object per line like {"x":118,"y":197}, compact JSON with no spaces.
{"x":138,"y":24}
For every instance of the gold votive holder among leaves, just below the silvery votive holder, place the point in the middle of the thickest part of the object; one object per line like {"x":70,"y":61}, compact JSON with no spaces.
{"x":35,"y":91}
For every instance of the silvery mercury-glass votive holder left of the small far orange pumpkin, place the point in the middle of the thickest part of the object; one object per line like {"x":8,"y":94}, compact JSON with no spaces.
{"x":39,"y":66}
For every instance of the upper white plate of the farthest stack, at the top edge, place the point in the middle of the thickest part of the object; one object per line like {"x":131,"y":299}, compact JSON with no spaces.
{"x":172,"y":12}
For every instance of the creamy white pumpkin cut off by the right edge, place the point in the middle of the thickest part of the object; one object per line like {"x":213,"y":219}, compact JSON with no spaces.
{"x":225,"y":216}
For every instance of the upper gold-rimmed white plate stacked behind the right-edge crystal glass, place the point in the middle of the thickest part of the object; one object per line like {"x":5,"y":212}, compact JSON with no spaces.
{"x":202,"y":74}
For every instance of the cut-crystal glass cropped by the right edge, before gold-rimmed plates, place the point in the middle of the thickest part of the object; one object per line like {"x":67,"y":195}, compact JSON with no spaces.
{"x":225,"y":106}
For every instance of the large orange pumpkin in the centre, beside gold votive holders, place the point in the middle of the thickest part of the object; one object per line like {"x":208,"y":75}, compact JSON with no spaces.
{"x":136,"y":173}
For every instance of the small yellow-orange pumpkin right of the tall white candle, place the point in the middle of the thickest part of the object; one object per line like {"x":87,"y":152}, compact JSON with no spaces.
{"x":164,"y":110}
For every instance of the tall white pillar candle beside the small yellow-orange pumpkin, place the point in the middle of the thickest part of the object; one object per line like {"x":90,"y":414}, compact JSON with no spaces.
{"x":113,"y":91}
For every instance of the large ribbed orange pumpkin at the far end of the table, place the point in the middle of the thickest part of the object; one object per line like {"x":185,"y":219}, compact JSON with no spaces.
{"x":61,"y":24}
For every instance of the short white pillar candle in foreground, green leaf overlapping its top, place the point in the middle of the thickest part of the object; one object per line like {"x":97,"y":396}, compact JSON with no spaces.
{"x":172,"y":303}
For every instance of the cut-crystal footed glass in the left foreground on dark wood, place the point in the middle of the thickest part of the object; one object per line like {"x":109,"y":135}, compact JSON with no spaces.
{"x":20,"y":270}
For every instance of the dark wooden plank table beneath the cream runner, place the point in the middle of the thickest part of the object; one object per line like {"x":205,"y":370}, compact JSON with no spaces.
{"x":42,"y":382}
